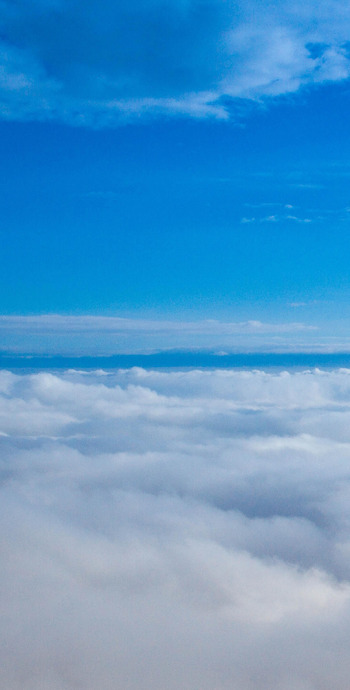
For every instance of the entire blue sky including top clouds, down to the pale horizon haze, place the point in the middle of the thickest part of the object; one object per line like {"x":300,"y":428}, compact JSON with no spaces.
{"x":179,"y":161}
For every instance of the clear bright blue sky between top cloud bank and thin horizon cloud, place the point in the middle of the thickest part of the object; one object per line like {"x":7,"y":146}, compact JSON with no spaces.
{"x":159,"y":216}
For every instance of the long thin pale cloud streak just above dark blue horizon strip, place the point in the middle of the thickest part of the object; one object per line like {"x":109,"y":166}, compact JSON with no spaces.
{"x":54,"y":333}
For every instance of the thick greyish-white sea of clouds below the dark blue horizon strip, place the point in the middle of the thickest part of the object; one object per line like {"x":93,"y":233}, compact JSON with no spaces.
{"x":175,"y":529}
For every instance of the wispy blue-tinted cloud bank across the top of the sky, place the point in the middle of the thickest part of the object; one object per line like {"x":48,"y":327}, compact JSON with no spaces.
{"x":100,"y":63}
